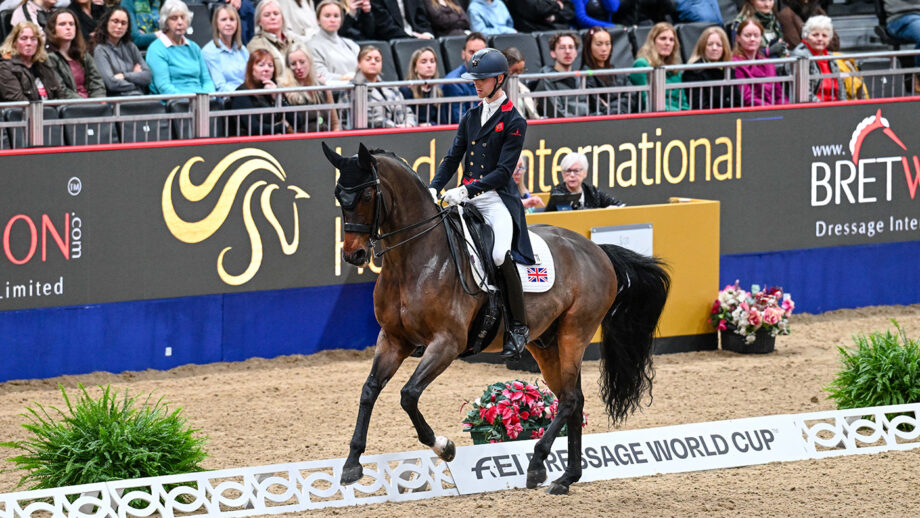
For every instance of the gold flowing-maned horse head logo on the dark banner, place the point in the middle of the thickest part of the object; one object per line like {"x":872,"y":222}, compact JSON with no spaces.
{"x":238,"y":166}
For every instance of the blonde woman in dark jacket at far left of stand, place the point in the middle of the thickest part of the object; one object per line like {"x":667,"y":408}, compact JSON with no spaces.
{"x":24,"y":72}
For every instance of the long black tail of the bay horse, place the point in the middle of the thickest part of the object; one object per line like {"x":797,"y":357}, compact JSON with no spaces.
{"x":627,"y":330}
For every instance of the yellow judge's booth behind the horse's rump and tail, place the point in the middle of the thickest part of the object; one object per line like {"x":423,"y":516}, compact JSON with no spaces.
{"x":685,"y":236}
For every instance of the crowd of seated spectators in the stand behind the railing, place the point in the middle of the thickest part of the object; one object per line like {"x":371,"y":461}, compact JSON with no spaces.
{"x":100,"y":48}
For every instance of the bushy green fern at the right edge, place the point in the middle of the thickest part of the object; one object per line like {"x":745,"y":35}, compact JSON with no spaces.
{"x":879,"y":371}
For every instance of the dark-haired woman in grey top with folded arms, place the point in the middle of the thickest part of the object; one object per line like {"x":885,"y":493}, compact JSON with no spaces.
{"x":117,"y":58}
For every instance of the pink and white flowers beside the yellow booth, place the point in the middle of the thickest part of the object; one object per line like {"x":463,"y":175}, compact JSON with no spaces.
{"x":747,"y":312}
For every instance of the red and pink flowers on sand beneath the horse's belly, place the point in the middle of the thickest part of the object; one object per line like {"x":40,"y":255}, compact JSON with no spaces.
{"x":512,"y":411}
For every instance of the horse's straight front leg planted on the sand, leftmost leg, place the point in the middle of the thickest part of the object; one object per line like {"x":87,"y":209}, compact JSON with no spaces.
{"x":387,"y":359}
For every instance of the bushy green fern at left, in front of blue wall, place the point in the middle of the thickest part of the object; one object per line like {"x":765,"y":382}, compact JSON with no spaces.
{"x":105,"y":439}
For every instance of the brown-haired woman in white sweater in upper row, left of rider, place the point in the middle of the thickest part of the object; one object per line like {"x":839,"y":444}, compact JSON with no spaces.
{"x":336,"y":57}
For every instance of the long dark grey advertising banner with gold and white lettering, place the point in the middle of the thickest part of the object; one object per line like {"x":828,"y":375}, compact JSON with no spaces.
{"x":97,"y":226}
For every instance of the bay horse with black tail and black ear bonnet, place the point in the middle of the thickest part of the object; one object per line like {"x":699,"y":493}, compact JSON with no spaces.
{"x":420,"y":300}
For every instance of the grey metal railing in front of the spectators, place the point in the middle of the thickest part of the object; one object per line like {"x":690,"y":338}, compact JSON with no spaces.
{"x":558,"y":94}
